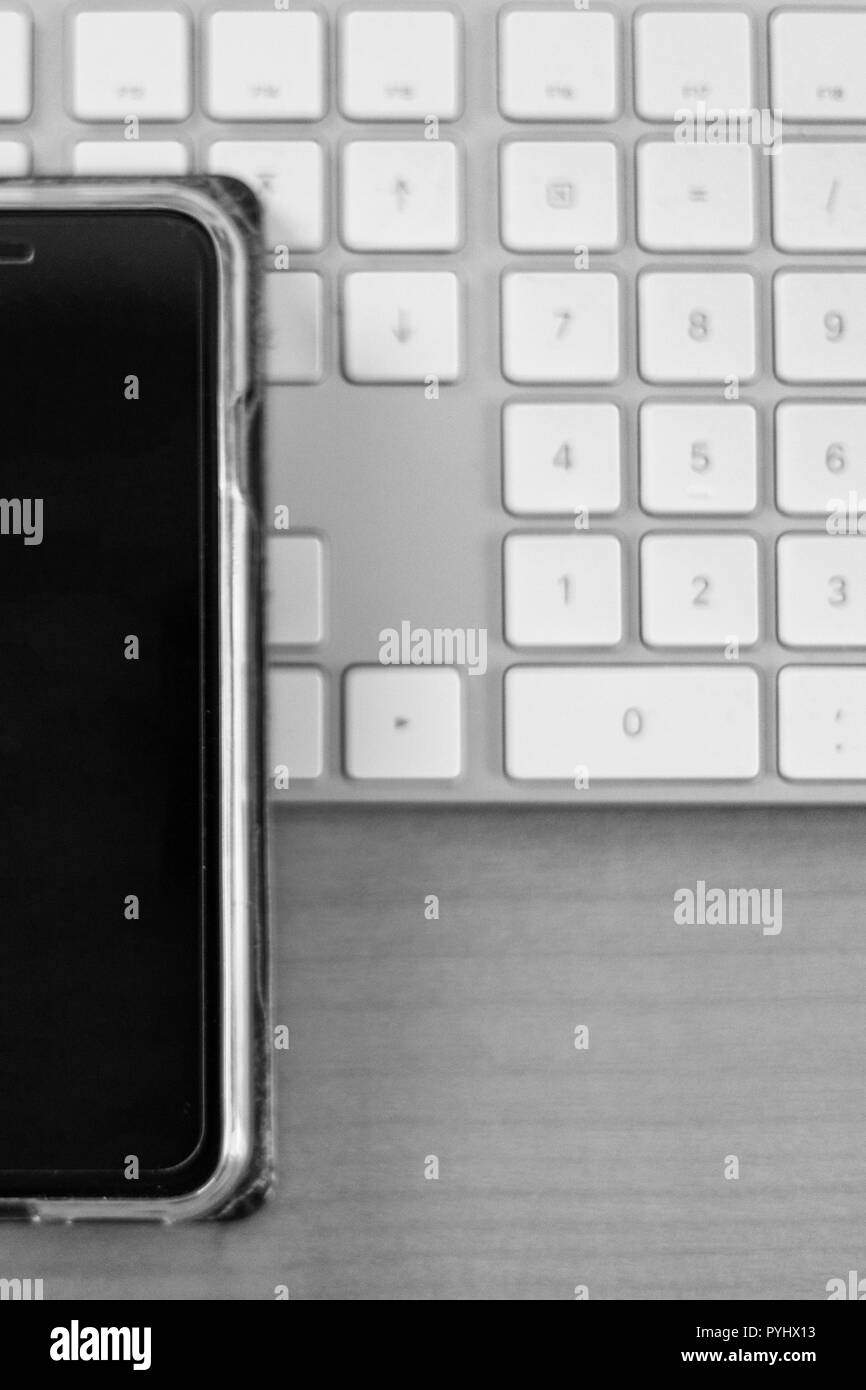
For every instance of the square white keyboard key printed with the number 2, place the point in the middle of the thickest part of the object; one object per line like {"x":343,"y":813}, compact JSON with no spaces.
{"x":700,"y":590}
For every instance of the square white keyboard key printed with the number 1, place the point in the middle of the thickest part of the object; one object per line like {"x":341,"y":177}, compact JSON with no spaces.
{"x":564,"y":591}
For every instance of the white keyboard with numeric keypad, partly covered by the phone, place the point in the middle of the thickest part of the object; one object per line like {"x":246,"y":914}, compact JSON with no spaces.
{"x":566,"y":361}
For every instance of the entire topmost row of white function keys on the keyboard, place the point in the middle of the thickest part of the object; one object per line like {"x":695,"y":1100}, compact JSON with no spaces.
{"x":407,"y":65}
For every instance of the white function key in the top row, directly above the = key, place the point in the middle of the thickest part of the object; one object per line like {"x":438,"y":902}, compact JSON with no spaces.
{"x":690,"y":60}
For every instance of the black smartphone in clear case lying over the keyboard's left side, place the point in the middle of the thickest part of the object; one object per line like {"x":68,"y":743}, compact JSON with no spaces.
{"x":133,"y":1058}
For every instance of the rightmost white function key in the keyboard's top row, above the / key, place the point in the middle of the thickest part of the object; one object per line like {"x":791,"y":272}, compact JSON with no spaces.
{"x":818,"y":65}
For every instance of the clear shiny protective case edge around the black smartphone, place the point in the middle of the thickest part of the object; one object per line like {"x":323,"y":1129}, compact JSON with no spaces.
{"x":229,"y":212}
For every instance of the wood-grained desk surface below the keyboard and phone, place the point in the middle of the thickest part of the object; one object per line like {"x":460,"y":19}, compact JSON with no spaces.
{"x":455,"y":1039}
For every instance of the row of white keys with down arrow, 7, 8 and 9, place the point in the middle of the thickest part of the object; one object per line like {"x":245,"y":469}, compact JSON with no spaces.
{"x":569,"y":329}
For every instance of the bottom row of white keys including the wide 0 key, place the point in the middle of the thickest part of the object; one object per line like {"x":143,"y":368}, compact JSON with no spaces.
{"x":576,"y":725}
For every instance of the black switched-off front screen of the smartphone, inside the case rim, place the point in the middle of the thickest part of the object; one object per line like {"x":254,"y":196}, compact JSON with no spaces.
{"x":109,"y":750}
